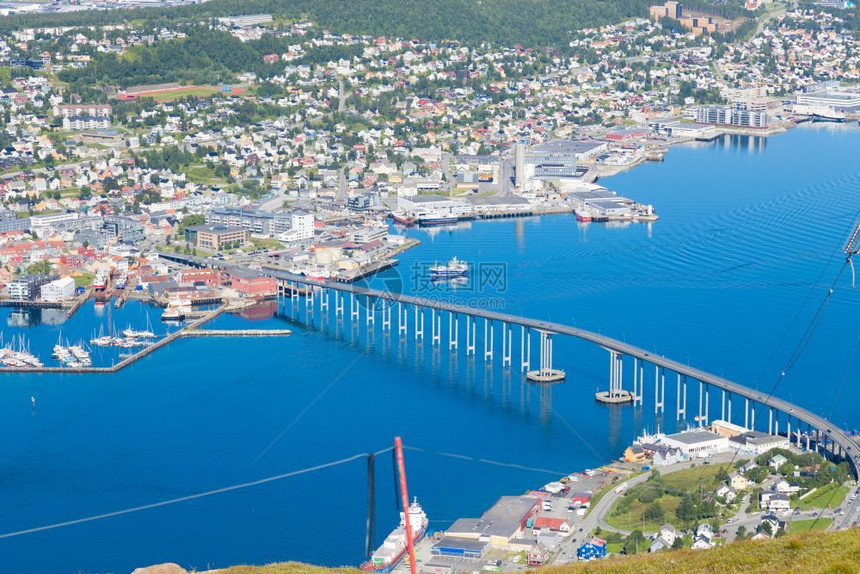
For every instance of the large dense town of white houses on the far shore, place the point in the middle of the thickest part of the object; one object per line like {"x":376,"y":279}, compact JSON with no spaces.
{"x":304,"y":165}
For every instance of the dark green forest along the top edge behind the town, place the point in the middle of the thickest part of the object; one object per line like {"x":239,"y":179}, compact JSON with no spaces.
{"x":526,"y":22}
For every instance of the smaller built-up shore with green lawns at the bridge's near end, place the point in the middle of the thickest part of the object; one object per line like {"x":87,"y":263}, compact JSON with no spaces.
{"x":699,"y":488}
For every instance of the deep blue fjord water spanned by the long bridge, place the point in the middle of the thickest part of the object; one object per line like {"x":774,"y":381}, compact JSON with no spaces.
{"x":729,"y":279}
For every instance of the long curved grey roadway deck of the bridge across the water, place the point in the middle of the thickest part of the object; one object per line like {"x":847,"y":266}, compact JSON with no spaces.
{"x":833,"y":433}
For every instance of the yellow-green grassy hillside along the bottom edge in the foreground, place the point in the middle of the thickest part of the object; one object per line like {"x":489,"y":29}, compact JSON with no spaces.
{"x":811,"y":552}
